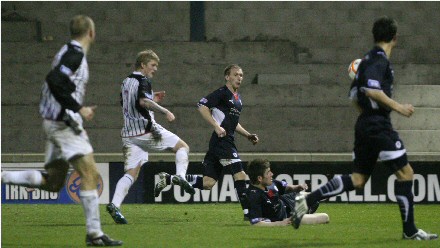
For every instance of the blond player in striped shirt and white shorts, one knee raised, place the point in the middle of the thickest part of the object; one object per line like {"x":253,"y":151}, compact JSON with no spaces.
{"x":141,"y":133}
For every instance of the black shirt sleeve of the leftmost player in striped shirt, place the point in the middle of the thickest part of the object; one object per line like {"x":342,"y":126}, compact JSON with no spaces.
{"x":59,"y":81}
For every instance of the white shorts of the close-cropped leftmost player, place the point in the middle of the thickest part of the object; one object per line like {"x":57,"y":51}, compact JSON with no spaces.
{"x":63,"y":143}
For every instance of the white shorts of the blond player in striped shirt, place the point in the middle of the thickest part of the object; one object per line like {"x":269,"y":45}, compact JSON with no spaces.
{"x":135,"y":149}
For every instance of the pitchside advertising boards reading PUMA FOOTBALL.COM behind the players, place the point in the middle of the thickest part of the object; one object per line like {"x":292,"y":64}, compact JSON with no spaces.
{"x":313,"y":169}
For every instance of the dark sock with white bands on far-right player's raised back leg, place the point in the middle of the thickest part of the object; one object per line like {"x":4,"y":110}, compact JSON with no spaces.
{"x":335,"y":186}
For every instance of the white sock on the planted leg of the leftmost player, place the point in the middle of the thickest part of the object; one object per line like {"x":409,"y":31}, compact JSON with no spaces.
{"x":90,"y":202}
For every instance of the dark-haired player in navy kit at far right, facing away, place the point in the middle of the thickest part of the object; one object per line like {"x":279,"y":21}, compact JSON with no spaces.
{"x":375,"y":137}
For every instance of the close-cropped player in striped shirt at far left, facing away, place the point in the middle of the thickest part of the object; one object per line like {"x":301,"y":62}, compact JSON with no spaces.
{"x":62,"y":109}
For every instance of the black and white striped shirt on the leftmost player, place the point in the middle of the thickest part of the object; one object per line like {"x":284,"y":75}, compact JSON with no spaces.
{"x":64,"y":88}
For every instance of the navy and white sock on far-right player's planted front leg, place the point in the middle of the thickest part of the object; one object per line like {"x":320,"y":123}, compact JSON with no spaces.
{"x":405,"y":199}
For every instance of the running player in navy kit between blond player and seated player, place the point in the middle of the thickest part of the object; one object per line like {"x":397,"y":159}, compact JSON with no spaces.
{"x":222,"y":109}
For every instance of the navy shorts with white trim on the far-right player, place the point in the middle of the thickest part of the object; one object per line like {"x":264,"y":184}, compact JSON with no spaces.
{"x":376,"y":139}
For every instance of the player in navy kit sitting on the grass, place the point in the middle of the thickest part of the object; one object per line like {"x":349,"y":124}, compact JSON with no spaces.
{"x":271,"y":201}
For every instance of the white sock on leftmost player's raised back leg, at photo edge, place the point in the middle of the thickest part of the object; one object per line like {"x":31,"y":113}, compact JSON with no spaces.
{"x":23,"y":178}
